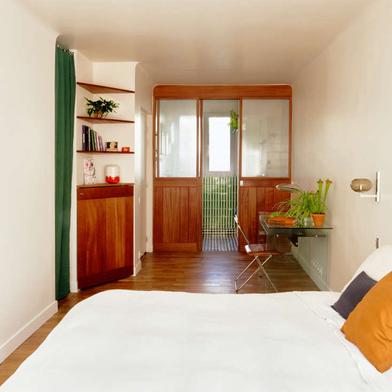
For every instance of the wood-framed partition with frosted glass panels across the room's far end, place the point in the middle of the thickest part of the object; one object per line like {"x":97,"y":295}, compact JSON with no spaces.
{"x":263,"y":159}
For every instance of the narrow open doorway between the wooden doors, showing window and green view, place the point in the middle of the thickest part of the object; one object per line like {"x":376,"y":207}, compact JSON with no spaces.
{"x":220,"y":169}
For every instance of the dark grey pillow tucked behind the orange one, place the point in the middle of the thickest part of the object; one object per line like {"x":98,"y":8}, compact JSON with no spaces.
{"x":353,"y":294}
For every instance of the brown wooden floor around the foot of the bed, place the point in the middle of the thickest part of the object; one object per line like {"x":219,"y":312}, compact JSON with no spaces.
{"x":197,"y":273}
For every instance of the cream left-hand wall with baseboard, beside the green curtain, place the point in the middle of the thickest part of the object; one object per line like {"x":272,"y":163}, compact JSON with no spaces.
{"x":27,"y":266}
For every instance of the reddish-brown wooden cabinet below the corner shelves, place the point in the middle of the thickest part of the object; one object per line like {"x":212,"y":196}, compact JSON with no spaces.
{"x":105,"y":233}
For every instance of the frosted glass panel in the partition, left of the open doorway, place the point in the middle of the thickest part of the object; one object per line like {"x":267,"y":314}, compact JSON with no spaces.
{"x":177,"y":138}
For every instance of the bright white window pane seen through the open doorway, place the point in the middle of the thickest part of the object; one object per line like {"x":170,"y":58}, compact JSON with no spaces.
{"x":219,"y":144}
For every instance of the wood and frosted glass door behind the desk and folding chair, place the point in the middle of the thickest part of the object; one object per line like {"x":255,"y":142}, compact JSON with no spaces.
{"x":265,"y":160}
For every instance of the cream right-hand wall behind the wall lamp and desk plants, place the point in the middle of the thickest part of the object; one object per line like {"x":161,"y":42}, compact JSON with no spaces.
{"x":343,"y":129}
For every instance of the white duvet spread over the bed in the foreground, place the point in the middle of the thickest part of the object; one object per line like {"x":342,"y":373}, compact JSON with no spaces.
{"x":179,"y":342}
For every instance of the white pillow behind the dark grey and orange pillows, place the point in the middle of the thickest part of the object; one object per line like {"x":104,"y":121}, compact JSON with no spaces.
{"x":376,"y":265}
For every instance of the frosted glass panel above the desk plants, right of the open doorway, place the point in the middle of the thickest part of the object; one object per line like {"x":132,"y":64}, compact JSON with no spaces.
{"x":265,"y":138}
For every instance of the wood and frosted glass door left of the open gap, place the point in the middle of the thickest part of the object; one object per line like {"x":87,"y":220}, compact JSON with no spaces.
{"x":177,"y":182}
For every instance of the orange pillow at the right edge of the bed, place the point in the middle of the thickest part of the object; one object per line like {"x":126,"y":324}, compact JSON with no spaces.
{"x":369,"y":325}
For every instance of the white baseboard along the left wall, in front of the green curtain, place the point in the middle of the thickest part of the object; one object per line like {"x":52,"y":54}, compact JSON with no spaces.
{"x":26,"y":331}
